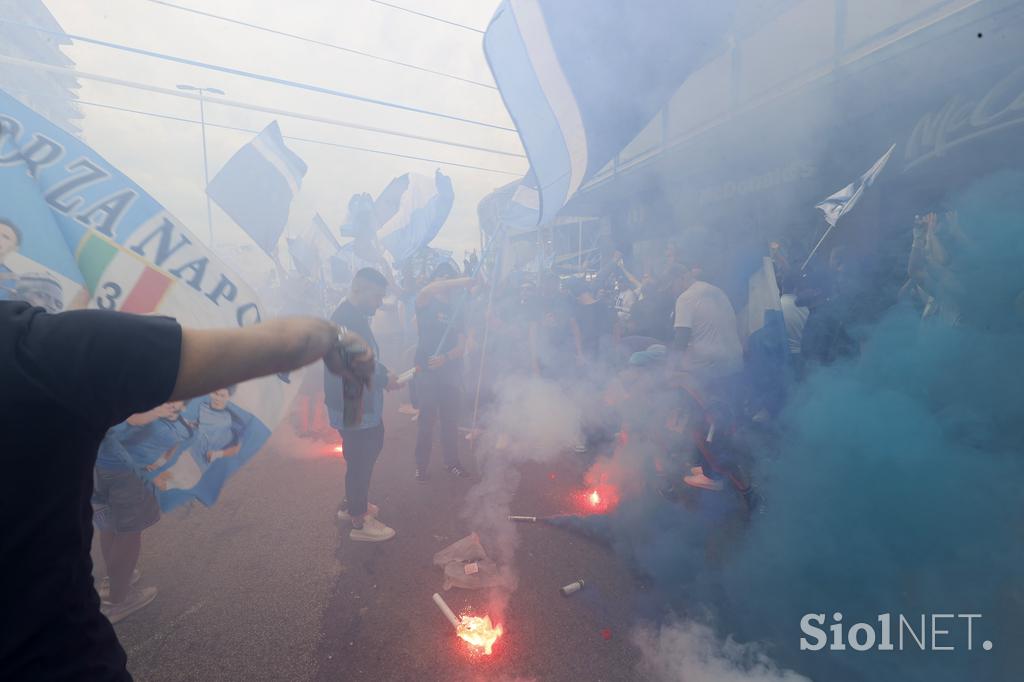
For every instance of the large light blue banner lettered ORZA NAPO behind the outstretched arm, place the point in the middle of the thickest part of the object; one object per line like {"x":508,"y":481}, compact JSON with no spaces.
{"x":77,"y":233}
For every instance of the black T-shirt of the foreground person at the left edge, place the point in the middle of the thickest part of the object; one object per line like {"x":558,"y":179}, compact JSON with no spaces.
{"x":65,"y":380}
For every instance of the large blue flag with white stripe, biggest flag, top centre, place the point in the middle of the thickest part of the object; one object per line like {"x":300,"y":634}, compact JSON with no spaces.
{"x":582,"y":79}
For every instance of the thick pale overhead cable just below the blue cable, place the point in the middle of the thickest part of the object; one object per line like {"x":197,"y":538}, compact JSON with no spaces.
{"x":254,"y":108}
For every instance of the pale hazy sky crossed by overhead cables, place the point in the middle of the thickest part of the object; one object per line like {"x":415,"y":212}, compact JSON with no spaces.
{"x":166,"y":157}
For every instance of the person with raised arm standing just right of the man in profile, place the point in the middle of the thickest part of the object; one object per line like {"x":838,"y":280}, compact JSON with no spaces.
{"x":439,"y":377}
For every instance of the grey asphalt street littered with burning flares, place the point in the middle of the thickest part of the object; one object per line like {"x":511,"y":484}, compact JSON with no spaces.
{"x":267,"y":586}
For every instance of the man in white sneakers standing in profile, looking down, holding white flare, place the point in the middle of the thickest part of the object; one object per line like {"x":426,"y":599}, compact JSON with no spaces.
{"x":363,"y":442}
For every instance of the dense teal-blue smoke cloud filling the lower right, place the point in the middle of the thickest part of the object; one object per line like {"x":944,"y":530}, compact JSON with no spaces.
{"x":897,"y":489}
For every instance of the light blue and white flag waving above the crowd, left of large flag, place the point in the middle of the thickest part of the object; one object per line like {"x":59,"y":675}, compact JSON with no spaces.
{"x":422,"y":209}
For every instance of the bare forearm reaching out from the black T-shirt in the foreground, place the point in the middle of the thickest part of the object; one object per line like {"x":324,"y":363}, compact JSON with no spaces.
{"x":215,"y":359}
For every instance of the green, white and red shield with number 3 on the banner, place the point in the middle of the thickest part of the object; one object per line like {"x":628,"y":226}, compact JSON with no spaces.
{"x":118,"y":279}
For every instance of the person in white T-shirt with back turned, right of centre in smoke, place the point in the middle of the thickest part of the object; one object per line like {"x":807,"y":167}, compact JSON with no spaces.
{"x":710,"y":358}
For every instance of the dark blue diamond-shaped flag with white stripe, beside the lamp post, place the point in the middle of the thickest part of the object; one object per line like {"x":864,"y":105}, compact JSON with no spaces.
{"x":258,"y":185}
